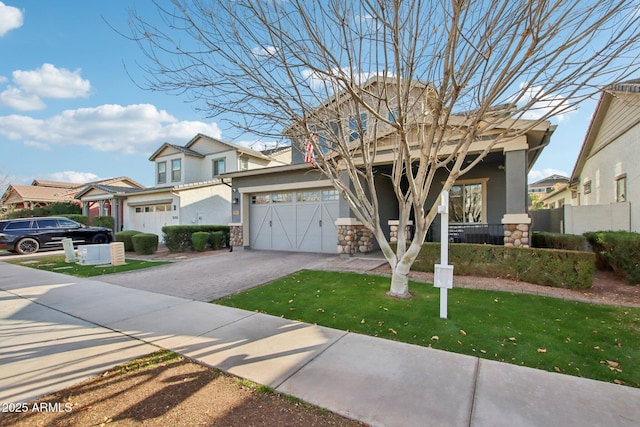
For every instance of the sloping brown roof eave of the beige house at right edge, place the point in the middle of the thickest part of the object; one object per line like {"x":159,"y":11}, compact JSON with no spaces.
{"x":602,"y":109}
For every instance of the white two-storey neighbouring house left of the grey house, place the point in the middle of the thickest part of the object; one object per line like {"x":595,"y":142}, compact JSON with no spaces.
{"x":189,"y":188}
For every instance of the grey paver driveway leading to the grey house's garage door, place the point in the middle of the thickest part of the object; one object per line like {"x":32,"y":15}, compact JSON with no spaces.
{"x":221,"y":274}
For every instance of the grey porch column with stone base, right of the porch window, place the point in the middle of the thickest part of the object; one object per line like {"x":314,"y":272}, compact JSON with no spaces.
{"x":516,"y":220}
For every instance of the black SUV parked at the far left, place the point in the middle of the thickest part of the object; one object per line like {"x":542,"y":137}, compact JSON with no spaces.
{"x":29,"y":235}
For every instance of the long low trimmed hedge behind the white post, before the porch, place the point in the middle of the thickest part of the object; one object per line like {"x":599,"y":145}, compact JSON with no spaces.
{"x":548,"y":267}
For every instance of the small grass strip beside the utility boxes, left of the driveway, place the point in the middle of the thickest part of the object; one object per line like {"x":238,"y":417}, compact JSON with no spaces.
{"x":59,"y":265}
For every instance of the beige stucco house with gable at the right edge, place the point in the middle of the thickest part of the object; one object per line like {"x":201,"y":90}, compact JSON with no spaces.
{"x":606,"y":177}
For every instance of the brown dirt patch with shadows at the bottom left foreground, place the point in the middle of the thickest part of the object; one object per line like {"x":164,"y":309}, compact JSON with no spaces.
{"x":167,"y":390}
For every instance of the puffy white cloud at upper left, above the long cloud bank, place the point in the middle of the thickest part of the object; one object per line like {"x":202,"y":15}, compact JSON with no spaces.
{"x":45,"y":82}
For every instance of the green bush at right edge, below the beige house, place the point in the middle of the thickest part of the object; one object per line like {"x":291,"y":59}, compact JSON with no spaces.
{"x":618,"y":251}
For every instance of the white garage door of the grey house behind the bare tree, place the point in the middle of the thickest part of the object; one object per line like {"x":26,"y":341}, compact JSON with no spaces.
{"x":302,"y":221}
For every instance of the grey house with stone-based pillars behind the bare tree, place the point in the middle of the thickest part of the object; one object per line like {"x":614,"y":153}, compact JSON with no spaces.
{"x":296,"y":208}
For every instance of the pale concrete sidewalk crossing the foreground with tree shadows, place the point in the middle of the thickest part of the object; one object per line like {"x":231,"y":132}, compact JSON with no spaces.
{"x":56,"y":330}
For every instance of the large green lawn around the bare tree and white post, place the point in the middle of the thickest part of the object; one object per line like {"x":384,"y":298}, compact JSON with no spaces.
{"x":586,"y":340}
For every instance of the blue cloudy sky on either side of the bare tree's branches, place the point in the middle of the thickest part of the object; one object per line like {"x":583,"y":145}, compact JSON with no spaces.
{"x":70,"y":112}
